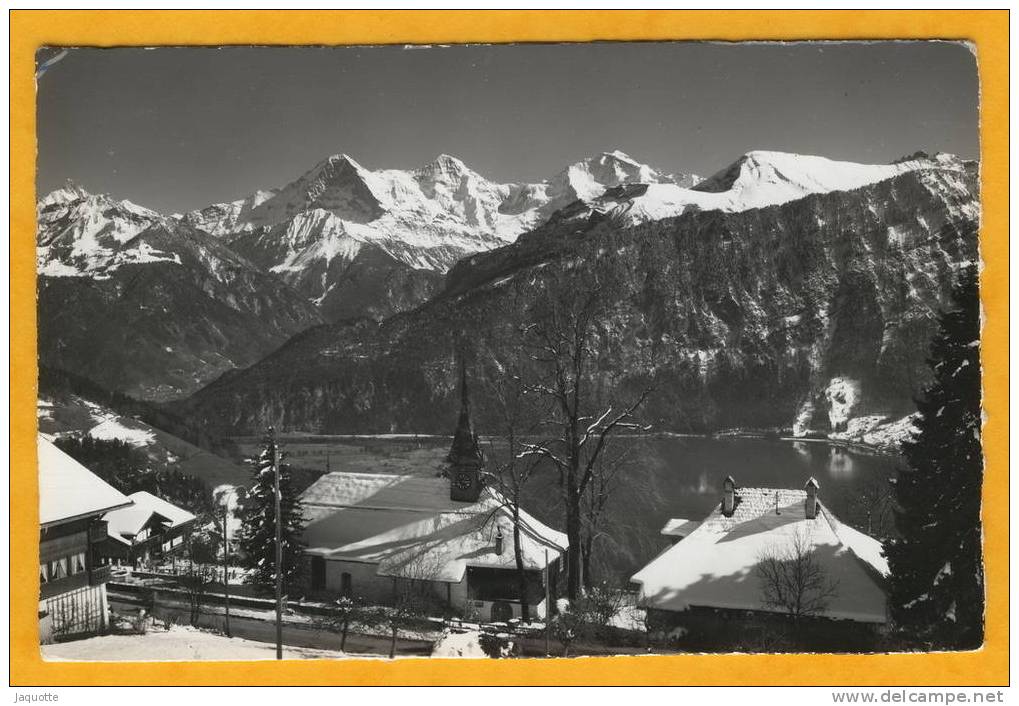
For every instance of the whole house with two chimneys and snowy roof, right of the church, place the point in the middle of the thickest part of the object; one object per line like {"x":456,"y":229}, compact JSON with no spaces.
{"x":710,"y":579}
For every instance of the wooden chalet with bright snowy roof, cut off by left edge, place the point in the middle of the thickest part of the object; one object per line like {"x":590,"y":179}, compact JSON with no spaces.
{"x":73,"y":502}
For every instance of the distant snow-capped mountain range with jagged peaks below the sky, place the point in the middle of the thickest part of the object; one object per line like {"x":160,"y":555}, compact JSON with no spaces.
{"x":157,"y":306}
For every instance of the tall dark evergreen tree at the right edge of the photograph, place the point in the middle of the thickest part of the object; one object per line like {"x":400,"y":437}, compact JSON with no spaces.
{"x":937,"y":585}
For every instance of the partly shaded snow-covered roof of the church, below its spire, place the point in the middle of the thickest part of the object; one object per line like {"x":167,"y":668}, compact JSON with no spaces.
{"x":410,"y":528}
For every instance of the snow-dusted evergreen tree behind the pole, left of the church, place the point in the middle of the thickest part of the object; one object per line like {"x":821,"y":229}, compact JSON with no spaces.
{"x":258,"y":516}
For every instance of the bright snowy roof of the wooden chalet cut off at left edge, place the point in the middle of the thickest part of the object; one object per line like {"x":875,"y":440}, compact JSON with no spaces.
{"x":69,"y":492}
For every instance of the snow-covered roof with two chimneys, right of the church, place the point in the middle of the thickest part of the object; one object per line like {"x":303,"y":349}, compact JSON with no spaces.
{"x":715,"y":565}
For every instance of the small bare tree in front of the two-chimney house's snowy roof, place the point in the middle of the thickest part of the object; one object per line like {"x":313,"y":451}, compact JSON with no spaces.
{"x":793,"y":580}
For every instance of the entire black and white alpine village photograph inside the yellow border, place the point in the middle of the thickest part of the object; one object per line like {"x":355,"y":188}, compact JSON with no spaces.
{"x":509,"y":352}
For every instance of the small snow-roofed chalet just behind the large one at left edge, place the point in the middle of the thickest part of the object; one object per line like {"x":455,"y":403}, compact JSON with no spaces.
{"x":150,"y":529}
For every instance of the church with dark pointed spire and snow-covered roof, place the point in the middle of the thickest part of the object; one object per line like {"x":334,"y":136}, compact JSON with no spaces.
{"x":447,"y":538}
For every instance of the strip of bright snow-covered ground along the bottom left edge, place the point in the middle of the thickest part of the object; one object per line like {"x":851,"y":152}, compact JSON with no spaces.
{"x":177,"y":644}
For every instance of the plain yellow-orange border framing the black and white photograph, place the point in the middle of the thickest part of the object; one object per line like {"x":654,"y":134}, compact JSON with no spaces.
{"x":988,"y":30}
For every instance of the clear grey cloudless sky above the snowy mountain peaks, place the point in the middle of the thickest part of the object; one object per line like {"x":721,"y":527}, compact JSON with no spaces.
{"x":179,"y":129}
